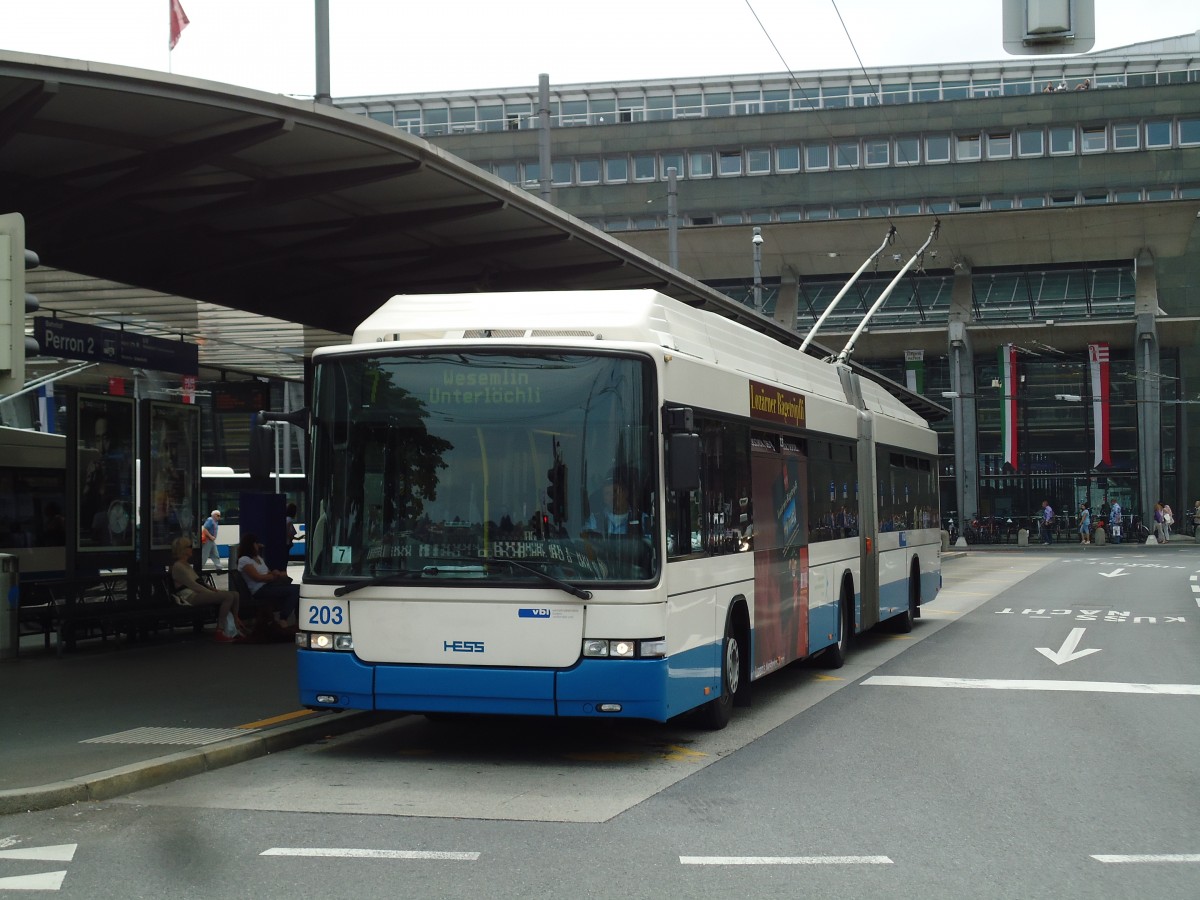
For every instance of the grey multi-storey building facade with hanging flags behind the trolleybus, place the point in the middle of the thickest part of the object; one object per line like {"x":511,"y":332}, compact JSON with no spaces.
{"x":1054,"y":313}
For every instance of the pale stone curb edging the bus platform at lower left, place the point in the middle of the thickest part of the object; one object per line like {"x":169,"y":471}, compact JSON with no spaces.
{"x":172,"y":767}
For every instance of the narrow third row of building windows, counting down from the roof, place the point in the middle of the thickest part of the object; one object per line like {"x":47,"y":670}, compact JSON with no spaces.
{"x":815,"y":213}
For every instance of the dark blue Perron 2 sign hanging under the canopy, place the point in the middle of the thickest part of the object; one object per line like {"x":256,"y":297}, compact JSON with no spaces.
{"x":75,"y":340}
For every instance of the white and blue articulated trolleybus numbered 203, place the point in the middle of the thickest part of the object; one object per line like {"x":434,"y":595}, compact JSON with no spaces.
{"x":597,"y":505}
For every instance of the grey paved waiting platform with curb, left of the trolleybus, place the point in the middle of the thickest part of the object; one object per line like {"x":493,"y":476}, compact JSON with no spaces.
{"x":106,"y":721}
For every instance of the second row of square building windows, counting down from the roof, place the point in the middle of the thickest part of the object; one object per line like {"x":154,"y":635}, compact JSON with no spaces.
{"x":862,"y":153}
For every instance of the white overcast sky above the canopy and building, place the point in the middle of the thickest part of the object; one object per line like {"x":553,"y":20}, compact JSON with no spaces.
{"x":409,"y":46}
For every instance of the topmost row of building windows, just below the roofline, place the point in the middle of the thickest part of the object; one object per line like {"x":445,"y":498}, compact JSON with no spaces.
{"x":442,"y":116}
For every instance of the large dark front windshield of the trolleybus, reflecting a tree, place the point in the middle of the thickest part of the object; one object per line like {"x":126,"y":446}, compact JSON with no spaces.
{"x":427,"y":466}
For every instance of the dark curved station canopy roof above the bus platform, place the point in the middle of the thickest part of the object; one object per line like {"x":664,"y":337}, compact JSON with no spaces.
{"x":261,"y":227}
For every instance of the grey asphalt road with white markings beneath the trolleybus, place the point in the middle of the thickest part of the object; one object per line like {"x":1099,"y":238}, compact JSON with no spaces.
{"x":1035,"y":737}
